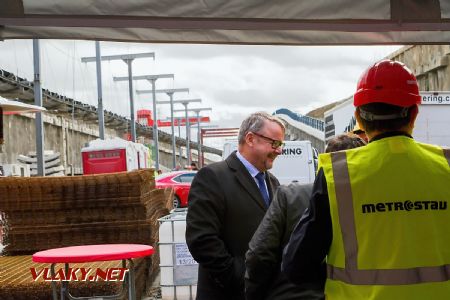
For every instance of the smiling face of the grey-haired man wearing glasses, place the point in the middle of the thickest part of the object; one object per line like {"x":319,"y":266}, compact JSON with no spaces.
{"x":261,"y":150}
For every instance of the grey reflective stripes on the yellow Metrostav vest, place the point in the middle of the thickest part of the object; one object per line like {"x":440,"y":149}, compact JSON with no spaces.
{"x":350,"y":274}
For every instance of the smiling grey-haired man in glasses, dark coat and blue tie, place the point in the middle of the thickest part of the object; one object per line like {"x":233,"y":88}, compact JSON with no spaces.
{"x":227,"y":201}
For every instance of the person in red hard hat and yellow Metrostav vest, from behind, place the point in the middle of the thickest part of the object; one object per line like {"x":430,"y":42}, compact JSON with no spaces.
{"x":379,"y":214}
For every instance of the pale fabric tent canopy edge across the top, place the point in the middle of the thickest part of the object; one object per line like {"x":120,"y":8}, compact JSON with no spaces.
{"x":272,"y":22}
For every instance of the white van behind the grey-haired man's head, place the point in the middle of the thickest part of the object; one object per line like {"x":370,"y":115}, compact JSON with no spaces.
{"x":297,"y":163}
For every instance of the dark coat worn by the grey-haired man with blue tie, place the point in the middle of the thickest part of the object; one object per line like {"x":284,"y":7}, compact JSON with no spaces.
{"x":225,"y":208}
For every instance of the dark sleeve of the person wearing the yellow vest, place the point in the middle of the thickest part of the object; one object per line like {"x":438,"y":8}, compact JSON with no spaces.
{"x":304,"y":255}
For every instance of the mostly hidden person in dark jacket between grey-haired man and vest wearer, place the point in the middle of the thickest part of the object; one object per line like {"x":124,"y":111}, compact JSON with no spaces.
{"x":263,"y":277}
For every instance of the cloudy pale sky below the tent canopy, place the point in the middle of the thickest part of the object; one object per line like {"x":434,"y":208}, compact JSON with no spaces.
{"x":233,"y":80}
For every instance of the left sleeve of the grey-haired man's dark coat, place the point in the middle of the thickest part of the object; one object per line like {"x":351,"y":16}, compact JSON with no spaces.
{"x":203,"y":229}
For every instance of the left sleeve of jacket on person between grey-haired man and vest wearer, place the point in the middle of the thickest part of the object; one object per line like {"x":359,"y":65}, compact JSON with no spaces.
{"x":263,"y":255}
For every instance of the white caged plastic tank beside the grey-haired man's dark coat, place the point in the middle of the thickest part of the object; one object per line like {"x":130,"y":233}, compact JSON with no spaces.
{"x":179,"y":271}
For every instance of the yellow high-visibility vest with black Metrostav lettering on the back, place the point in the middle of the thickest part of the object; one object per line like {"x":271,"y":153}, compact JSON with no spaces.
{"x":390,"y":210}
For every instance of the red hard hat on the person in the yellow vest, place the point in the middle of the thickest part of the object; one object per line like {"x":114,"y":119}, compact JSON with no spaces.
{"x":388,"y":82}
